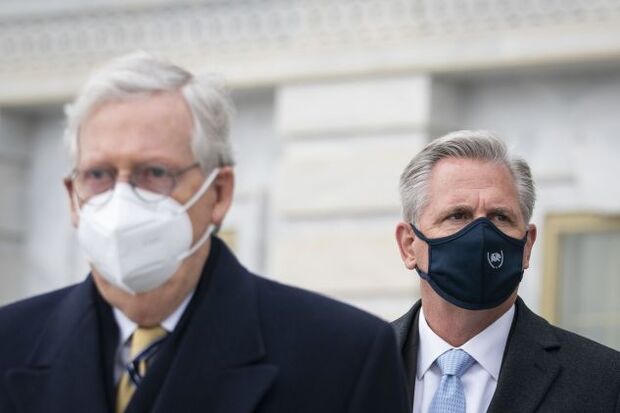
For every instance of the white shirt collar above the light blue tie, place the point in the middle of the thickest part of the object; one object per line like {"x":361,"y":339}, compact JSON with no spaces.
{"x":487,"y":347}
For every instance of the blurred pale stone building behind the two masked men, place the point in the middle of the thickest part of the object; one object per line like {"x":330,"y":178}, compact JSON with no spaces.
{"x":333,"y":99}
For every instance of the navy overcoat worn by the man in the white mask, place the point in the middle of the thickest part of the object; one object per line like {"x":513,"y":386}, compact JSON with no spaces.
{"x":244,"y":344}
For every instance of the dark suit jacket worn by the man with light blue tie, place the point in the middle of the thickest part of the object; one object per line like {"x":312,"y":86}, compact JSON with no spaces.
{"x":545,"y":368}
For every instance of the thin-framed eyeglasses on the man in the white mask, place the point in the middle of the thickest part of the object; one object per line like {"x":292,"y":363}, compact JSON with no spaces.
{"x":150,"y":182}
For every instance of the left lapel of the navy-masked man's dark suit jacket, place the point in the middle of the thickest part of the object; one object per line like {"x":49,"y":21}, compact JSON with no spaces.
{"x":408,"y":340}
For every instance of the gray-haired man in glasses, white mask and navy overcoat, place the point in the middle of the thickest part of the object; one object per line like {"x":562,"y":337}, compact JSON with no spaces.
{"x":168,"y":320}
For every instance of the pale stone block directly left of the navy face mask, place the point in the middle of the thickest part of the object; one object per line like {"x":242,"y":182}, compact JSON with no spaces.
{"x":343,"y":258}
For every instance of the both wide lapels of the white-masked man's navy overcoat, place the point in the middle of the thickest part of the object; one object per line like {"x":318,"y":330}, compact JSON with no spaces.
{"x":214,"y":363}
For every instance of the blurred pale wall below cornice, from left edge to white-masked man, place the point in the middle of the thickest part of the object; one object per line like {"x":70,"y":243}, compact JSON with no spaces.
{"x":38,"y":250}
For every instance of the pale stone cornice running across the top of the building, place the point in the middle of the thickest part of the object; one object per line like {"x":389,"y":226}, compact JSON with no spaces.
{"x":46,"y":54}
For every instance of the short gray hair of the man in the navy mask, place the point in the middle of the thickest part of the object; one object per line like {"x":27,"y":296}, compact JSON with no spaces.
{"x":464,"y":144}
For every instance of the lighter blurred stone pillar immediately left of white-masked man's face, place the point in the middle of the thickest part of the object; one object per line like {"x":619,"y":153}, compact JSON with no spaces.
{"x":53,"y":257}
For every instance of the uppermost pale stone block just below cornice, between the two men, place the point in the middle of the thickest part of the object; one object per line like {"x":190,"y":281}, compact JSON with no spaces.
{"x":399,"y":102}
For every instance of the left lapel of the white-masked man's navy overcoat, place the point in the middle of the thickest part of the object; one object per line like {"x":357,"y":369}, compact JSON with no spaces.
{"x":64,"y":371}
